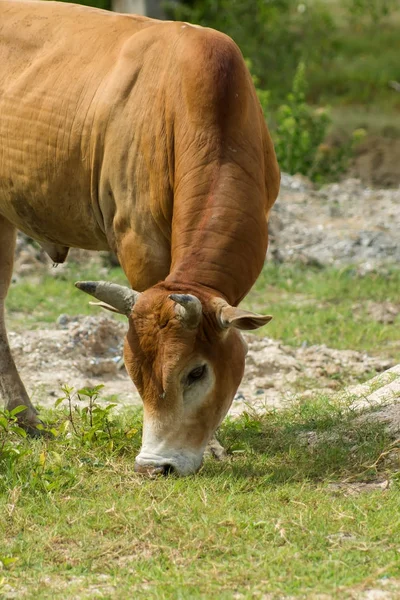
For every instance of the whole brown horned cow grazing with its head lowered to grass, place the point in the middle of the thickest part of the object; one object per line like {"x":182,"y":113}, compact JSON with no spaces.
{"x":144,"y":137}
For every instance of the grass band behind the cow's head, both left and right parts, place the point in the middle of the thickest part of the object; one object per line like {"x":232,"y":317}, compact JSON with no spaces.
{"x":309,"y":305}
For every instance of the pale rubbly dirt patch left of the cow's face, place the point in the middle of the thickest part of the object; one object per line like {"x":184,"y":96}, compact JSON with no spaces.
{"x":80,"y":351}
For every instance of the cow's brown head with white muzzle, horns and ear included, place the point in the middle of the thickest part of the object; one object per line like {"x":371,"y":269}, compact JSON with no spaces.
{"x":185,"y":354}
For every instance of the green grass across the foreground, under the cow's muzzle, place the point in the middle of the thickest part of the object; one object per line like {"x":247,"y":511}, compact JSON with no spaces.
{"x":79,"y":523}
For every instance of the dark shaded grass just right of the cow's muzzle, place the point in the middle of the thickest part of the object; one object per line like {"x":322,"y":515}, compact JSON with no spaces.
{"x":313,"y":440}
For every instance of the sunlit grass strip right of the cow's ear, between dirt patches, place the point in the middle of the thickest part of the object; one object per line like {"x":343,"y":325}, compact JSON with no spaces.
{"x":327,"y":306}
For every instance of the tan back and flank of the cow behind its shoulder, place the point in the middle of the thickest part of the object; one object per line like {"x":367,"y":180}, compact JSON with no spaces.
{"x":55,"y":60}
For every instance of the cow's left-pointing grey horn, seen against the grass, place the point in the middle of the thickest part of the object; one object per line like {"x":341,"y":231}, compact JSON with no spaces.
{"x":118,"y":296}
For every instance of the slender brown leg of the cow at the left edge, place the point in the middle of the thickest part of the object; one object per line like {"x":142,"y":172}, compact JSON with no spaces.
{"x":11,"y":387}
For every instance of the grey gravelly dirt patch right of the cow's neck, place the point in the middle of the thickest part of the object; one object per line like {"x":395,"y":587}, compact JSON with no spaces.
{"x":341,"y":223}
